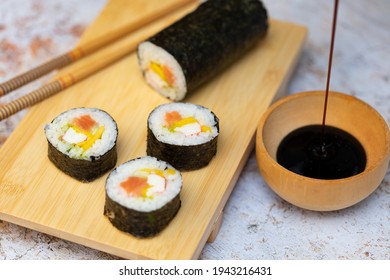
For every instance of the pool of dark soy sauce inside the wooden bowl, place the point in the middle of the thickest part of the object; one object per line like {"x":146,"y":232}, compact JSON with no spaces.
{"x":329,"y":154}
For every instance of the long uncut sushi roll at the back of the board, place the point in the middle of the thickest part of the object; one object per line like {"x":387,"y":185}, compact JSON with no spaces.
{"x":191,"y":51}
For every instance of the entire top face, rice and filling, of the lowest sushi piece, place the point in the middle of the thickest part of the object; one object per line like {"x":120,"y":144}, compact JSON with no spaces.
{"x":144,"y":184}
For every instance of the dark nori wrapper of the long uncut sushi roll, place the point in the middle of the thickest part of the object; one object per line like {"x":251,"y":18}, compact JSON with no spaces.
{"x":213,"y":36}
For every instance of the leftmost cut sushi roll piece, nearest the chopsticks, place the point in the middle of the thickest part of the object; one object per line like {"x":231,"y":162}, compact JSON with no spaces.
{"x":82,"y":143}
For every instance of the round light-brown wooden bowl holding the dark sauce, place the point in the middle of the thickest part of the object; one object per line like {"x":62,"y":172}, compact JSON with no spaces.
{"x":345,"y":112}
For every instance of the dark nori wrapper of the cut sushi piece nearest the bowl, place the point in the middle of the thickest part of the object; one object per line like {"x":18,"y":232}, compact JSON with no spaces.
{"x":183,"y":158}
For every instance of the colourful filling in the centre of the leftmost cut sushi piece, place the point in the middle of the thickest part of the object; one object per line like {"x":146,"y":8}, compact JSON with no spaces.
{"x":83,"y":132}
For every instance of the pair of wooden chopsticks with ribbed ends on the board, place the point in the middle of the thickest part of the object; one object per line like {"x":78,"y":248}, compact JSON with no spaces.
{"x":74,"y":55}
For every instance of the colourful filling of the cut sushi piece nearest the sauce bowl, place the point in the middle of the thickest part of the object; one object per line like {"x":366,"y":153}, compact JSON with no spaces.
{"x":188,"y":126}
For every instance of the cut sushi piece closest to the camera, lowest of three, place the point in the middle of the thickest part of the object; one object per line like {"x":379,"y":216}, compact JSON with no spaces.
{"x":142,"y":196}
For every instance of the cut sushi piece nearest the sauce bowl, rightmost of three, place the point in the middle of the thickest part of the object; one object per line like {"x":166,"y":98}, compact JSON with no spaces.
{"x":183,"y":134}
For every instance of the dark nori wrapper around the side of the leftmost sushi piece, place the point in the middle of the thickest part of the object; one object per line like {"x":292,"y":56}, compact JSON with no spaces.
{"x":81,"y":169}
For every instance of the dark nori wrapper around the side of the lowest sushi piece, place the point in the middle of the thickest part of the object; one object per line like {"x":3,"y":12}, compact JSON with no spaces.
{"x":141,"y":224}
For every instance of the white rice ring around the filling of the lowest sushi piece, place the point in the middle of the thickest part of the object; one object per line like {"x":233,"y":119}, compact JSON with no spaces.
{"x":131,"y":168}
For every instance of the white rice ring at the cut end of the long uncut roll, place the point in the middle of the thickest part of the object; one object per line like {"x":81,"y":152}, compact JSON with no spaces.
{"x":149,"y":52}
